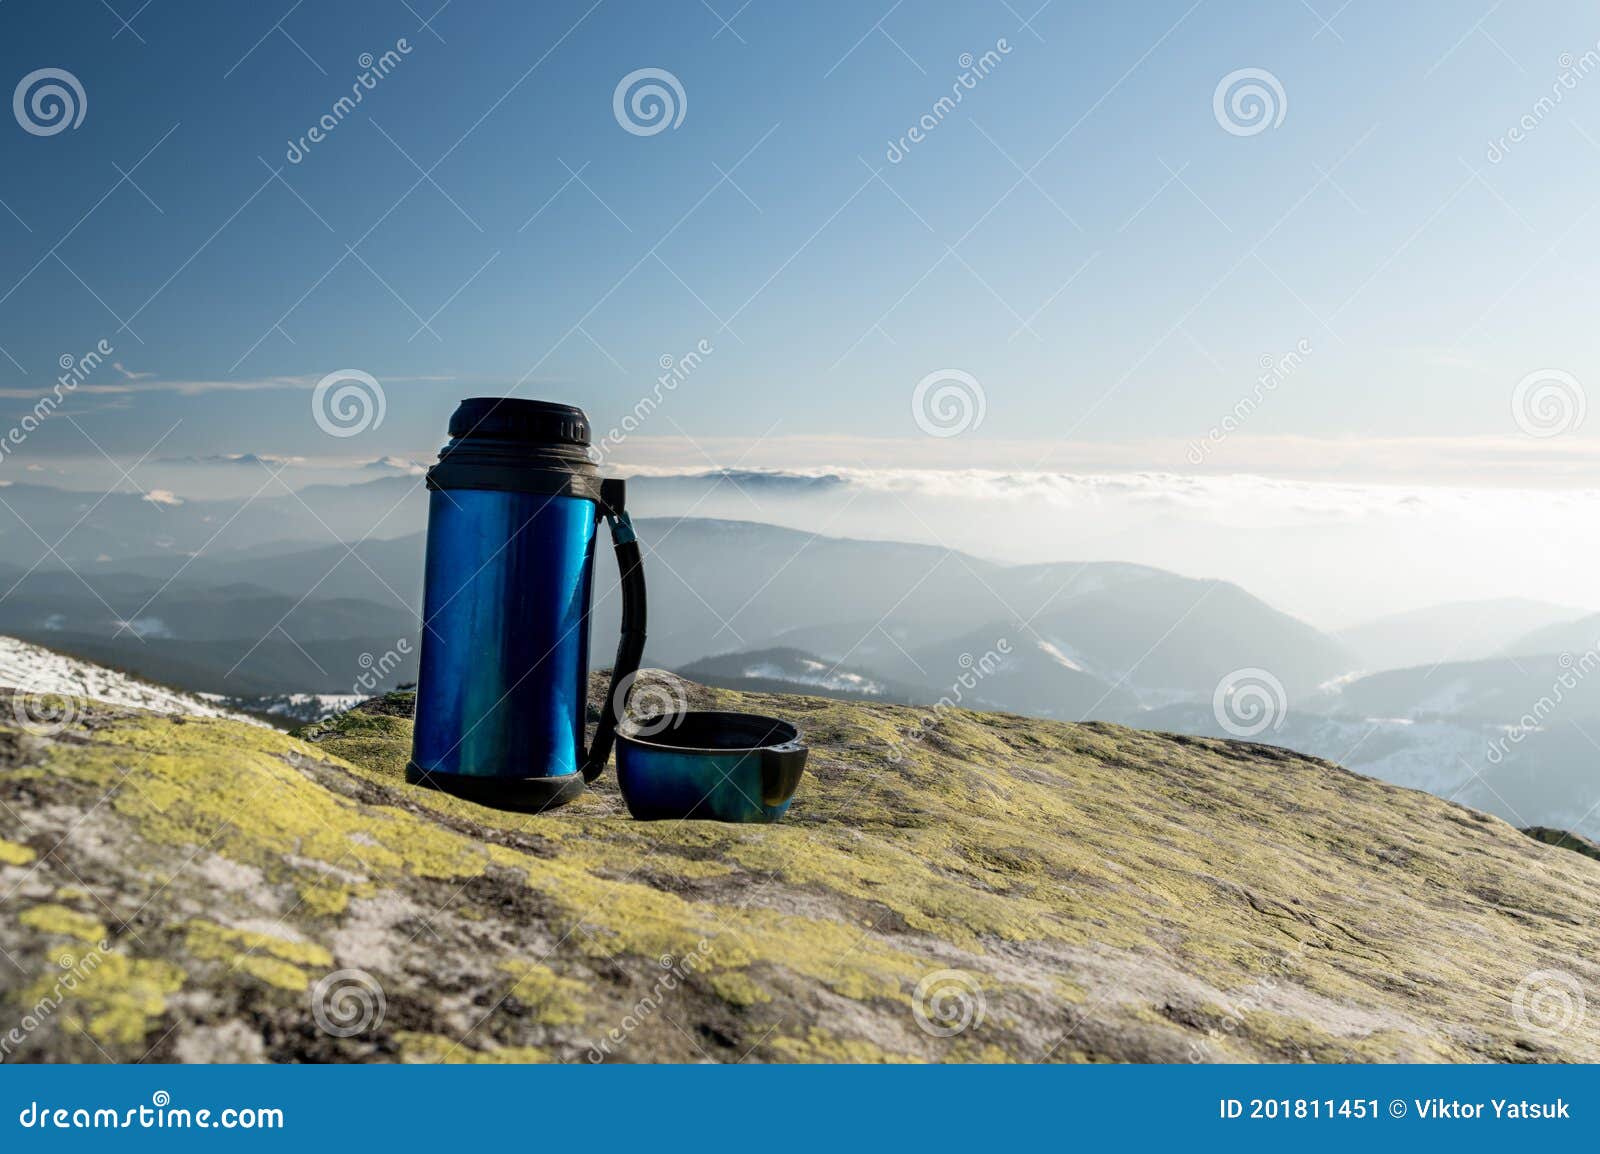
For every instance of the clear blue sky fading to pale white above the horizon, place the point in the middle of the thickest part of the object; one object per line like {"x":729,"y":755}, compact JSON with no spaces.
{"x":1081,"y":236}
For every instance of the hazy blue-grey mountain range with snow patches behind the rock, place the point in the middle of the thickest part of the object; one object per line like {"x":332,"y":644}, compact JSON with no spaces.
{"x":1492,"y":703}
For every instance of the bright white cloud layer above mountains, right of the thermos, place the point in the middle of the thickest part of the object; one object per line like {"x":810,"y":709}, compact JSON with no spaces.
{"x":1334,"y":553}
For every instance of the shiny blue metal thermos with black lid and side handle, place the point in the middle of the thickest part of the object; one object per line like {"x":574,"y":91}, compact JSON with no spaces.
{"x":502,"y":699}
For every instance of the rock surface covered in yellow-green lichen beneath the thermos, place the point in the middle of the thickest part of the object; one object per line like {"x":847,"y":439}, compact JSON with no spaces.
{"x":946,"y":888}
